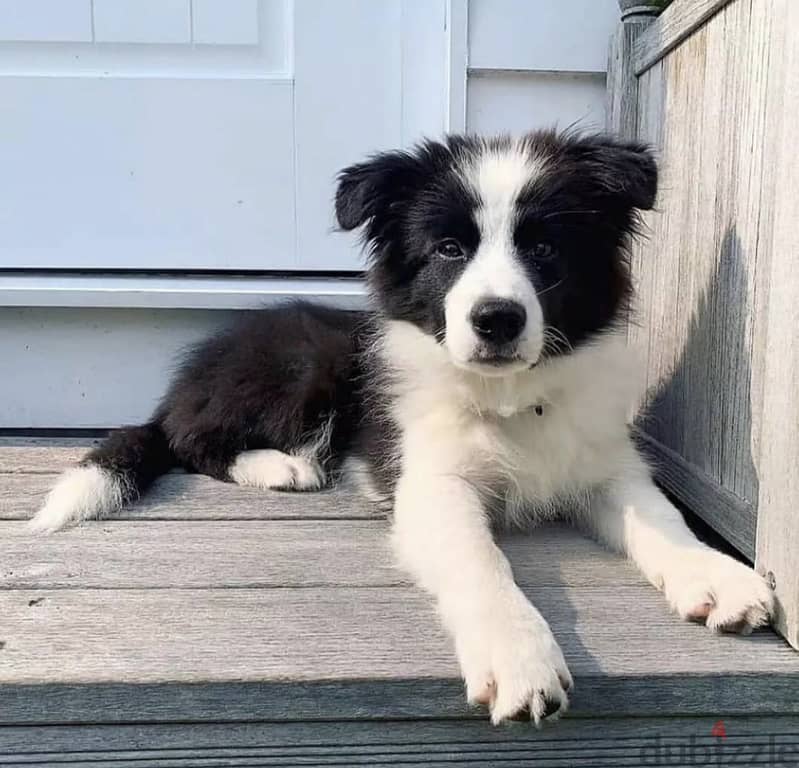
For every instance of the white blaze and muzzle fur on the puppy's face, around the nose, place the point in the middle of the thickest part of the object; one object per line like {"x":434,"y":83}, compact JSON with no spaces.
{"x":497,"y":177}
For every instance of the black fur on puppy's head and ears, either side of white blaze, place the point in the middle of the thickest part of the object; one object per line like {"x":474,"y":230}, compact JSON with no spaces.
{"x":584,"y":205}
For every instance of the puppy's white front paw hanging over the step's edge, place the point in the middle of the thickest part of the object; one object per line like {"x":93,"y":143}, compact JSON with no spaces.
{"x":516,"y":667}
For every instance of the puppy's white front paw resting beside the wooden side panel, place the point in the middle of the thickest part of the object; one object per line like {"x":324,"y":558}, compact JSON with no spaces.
{"x":712,"y":587}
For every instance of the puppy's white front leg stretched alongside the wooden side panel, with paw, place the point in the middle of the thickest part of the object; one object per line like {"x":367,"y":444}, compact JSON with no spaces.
{"x":632,"y":515}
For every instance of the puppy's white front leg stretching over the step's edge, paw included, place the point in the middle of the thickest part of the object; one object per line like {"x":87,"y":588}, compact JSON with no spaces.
{"x":508,"y":655}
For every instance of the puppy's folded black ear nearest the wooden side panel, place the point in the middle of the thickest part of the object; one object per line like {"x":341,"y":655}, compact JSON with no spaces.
{"x":625,"y":169}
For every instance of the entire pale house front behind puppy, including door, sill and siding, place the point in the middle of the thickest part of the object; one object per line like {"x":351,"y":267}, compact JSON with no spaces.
{"x":184,"y":136}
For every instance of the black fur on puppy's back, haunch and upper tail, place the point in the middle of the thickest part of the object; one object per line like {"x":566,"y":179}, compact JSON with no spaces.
{"x":267,"y":382}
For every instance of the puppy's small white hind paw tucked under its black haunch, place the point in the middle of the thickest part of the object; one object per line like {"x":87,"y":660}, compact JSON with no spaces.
{"x":267,"y":468}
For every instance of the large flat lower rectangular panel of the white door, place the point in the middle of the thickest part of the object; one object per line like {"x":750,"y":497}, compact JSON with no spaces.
{"x":141,"y":174}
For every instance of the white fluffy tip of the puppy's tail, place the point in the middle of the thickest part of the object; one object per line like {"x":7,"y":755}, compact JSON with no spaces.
{"x":81,"y":493}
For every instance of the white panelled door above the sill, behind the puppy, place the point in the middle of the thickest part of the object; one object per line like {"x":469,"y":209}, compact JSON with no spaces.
{"x":202,"y":134}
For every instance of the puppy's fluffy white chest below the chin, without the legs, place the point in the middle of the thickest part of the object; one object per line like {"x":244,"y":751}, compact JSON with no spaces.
{"x":535,"y":438}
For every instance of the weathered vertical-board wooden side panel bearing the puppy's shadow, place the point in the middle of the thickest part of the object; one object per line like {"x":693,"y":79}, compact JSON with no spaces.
{"x":702,"y":272}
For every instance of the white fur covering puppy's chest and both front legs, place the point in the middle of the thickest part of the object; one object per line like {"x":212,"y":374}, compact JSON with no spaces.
{"x":465,"y":437}
